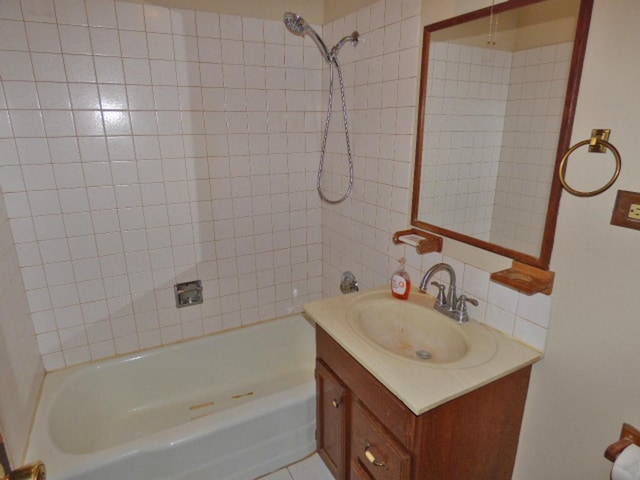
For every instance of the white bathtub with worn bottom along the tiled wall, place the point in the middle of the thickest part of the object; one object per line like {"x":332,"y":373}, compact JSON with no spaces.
{"x":231,"y":406}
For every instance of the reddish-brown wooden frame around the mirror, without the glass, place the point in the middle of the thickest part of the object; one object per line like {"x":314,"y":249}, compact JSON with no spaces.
{"x":571,"y":99}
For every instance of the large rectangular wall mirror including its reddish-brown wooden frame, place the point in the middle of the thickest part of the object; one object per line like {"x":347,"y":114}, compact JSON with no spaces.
{"x":498,"y":91}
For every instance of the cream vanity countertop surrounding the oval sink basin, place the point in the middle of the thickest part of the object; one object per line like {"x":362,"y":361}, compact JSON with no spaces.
{"x":421,"y":387}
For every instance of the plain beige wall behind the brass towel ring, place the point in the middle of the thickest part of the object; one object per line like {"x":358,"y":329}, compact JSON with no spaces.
{"x":587,"y":384}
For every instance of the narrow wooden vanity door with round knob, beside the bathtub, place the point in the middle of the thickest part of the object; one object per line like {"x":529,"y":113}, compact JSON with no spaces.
{"x":333,"y":404}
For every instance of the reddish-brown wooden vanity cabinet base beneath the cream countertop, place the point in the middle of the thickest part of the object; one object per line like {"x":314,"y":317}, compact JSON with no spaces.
{"x":374,"y":436}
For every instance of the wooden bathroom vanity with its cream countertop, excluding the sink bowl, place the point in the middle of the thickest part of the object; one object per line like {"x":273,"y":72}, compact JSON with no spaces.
{"x":384,"y":417}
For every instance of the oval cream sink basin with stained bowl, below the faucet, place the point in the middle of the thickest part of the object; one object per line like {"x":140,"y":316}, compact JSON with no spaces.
{"x":413,"y":331}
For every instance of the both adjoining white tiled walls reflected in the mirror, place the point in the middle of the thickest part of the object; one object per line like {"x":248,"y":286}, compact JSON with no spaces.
{"x":503,"y":177}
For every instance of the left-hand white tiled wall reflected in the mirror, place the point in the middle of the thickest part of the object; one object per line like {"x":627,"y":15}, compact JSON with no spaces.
{"x":468,"y":89}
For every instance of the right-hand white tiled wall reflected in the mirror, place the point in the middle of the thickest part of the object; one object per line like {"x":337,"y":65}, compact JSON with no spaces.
{"x":534,"y":110}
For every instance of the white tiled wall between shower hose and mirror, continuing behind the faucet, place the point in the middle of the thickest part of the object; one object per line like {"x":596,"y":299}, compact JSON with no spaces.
{"x":357,"y":234}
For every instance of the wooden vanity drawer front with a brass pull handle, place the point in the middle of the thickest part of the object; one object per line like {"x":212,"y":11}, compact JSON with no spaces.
{"x":377,"y":451}
